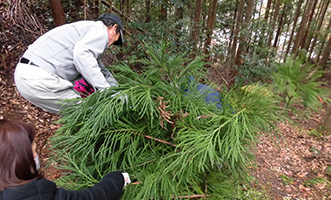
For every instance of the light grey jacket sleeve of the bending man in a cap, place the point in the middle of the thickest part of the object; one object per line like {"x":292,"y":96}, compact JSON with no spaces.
{"x":85,"y":54}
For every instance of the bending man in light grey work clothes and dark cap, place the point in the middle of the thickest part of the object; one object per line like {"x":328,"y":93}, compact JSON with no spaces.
{"x":47,"y":71}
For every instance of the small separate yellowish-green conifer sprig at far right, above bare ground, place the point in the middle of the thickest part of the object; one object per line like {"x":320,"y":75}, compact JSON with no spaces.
{"x":298,"y":83}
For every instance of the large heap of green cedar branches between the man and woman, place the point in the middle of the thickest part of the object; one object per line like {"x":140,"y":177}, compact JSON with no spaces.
{"x":159,"y":129}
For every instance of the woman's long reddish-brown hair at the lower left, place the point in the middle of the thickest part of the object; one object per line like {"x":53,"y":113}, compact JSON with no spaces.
{"x":17,"y":164}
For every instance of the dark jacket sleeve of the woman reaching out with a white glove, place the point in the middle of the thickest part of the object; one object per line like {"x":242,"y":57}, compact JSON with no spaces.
{"x":109,"y":188}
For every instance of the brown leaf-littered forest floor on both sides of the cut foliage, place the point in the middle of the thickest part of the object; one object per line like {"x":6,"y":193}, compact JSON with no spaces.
{"x":295,"y":166}
